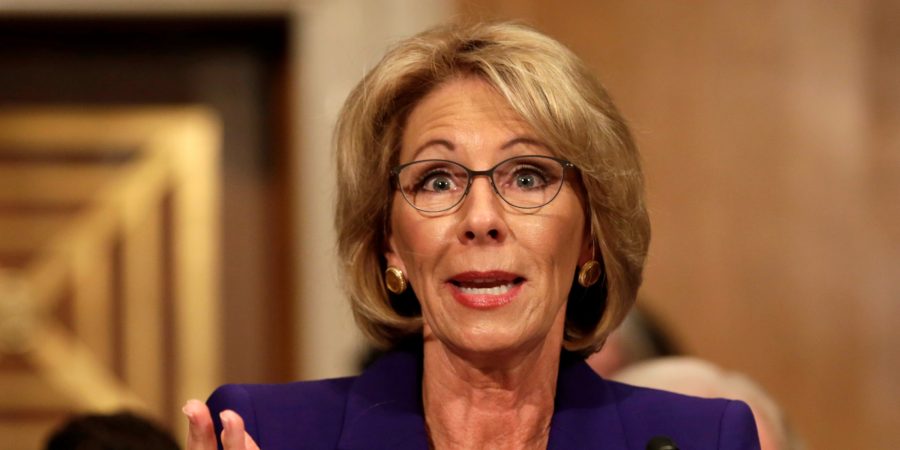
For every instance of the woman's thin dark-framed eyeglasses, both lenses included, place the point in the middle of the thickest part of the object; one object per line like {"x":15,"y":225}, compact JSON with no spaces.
{"x":436,"y":185}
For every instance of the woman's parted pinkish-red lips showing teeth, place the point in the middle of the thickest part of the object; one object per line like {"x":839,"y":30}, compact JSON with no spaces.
{"x":485,"y":290}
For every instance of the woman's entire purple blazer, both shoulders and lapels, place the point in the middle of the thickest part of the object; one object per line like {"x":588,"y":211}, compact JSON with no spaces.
{"x":382,"y":409}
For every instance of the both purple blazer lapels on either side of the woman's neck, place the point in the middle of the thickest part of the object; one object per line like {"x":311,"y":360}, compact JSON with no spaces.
{"x":384,"y":408}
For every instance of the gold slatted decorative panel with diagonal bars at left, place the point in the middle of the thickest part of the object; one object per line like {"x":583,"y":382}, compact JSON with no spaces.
{"x":108,"y":264}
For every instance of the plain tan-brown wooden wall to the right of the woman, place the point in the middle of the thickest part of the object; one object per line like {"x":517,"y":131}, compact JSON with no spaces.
{"x":771,"y":142}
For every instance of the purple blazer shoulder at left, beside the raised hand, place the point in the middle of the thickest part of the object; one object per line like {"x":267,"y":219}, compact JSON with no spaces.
{"x":301,"y":415}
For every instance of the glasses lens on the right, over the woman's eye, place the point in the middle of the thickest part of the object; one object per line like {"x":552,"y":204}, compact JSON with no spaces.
{"x":529,"y":181}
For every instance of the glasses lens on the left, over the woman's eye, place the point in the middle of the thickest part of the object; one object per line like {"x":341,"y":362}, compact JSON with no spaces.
{"x":433,"y":185}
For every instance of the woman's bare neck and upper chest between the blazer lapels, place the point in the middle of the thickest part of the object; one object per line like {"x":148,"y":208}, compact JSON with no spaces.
{"x":498,"y":401}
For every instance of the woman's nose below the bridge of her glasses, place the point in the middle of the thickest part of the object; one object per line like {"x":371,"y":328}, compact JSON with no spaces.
{"x":483,"y":220}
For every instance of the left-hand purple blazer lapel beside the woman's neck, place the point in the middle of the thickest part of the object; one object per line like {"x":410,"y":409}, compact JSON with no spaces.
{"x":384,"y":407}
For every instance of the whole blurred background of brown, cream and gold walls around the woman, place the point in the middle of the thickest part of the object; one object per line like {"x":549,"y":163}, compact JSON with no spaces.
{"x":166,"y":193}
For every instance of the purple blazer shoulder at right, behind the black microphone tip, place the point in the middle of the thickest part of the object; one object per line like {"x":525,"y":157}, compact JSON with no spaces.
{"x":692,"y":422}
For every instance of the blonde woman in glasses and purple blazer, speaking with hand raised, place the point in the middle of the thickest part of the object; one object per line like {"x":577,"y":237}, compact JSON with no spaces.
{"x":492,"y":231}
